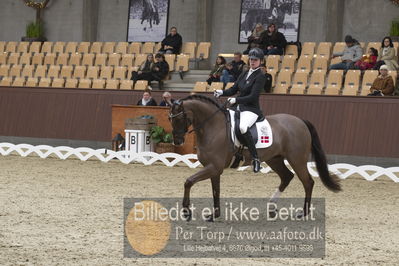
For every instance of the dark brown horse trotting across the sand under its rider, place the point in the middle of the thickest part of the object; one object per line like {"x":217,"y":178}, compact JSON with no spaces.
{"x":294,"y":139}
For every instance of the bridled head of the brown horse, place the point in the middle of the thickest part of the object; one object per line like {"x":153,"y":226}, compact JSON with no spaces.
{"x":180,"y":122}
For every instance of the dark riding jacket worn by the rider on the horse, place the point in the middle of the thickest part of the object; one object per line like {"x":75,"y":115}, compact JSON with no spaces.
{"x":249,"y":89}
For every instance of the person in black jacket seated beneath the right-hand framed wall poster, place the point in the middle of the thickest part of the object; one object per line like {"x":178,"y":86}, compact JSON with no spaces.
{"x":273,"y":41}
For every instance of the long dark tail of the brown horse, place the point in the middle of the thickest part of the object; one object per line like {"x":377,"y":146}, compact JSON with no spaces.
{"x":331,"y":181}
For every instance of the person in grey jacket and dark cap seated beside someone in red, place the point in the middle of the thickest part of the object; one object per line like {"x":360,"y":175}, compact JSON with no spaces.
{"x":352,"y":53}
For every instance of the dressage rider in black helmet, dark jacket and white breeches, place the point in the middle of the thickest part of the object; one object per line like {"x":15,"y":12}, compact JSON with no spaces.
{"x":249,"y":84}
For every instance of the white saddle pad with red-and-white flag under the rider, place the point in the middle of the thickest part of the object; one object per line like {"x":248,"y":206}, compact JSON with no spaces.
{"x":265,"y":135}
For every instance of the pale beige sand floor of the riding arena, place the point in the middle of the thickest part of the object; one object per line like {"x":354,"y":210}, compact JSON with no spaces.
{"x":56,"y":212}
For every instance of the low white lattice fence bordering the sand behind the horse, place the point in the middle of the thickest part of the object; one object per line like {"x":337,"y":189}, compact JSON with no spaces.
{"x":369,"y":172}
